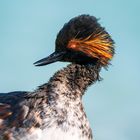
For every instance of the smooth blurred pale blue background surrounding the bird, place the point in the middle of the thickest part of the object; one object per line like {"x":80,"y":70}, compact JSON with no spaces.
{"x":28,"y":30}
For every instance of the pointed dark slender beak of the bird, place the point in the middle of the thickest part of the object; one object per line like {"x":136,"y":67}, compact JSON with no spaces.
{"x":56,"y":56}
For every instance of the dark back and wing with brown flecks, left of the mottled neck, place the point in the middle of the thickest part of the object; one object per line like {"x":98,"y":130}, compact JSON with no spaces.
{"x":18,"y":107}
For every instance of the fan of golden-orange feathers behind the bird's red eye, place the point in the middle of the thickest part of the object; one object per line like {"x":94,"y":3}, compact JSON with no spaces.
{"x":98,"y":45}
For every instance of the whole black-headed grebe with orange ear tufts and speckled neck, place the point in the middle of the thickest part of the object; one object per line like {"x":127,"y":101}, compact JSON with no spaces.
{"x":55,"y":109}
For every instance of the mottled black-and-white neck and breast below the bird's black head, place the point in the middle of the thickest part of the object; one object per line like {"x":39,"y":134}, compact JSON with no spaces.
{"x":64,"y":96}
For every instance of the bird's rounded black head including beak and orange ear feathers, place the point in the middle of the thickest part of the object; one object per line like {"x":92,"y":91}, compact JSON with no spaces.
{"x":82,"y":40}
